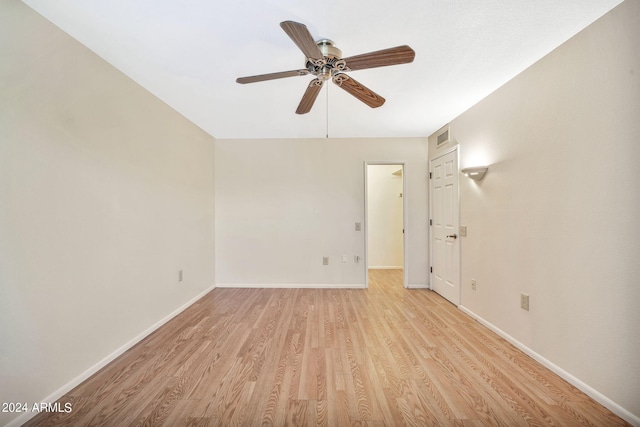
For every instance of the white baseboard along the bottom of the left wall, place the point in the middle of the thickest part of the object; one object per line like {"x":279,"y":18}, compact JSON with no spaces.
{"x":108,"y":359}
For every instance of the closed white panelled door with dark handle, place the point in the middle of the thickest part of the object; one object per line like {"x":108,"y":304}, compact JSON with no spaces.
{"x":445,"y":242}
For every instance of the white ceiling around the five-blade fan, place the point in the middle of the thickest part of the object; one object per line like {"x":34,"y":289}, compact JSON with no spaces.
{"x":189,"y":53}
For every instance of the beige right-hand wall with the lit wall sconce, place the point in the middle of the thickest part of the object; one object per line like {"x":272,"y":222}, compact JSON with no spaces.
{"x":556,"y":216}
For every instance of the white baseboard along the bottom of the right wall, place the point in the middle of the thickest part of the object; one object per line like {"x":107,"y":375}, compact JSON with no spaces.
{"x":585,"y":388}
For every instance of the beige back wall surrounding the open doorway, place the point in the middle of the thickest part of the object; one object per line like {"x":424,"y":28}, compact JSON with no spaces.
{"x":281,"y":205}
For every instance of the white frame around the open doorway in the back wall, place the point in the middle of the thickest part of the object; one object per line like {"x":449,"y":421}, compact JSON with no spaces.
{"x":405,"y":223}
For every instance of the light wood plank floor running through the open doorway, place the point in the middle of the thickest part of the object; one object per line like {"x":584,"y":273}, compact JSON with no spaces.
{"x":385,"y":356}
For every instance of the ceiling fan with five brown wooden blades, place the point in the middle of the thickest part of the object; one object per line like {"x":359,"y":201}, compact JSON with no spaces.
{"x":324,"y":61}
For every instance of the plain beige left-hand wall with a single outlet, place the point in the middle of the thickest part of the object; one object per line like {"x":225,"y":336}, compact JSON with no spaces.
{"x":105,"y":193}
